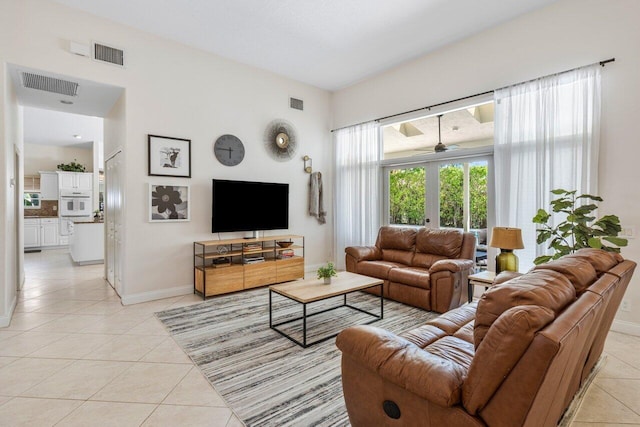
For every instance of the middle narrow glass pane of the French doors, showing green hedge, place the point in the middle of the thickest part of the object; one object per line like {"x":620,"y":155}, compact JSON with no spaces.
{"x":451,"y":195}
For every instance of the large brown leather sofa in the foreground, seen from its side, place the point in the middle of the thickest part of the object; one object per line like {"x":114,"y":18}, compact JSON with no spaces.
{"x":516,"y":357}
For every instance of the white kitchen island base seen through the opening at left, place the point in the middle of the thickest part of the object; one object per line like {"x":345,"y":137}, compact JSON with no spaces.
{"x":86,"y":243}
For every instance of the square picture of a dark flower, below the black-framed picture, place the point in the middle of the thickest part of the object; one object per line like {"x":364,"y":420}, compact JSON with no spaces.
{"x":169,"y":203}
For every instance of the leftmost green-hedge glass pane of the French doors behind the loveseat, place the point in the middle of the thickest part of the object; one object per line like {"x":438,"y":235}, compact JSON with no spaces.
{"x":407,"y":196}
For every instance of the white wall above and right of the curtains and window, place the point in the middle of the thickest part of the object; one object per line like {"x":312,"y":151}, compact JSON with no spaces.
{"x":567,"y":34}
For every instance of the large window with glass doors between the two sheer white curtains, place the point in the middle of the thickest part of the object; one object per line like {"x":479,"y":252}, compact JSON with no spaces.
{"x":444,"y":189}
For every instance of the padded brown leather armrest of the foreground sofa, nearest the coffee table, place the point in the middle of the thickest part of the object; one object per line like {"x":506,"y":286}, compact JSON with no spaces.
{"x":402,"y":363}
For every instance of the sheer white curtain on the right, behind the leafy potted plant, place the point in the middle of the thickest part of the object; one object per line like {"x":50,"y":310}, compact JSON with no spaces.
{"x":546,"y":137}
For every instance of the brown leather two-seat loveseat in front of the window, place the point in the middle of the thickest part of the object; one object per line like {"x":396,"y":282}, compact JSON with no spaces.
{"x":422,"y":267}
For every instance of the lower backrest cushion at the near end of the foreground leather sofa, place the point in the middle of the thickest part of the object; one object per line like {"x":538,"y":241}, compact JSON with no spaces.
{"x":506,"y":341}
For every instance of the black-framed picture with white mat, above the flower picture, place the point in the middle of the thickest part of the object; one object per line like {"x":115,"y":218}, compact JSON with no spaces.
{"x":169,"y":156}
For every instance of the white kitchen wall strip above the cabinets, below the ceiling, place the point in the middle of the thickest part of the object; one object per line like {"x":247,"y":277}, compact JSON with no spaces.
{"x":47,"y":157}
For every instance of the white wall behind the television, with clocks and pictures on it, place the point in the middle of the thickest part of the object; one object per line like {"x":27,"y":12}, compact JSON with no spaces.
{"x":177,"y":91}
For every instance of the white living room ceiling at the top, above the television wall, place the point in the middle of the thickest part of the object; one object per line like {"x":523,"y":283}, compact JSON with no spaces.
{"x":330,"y":44}
